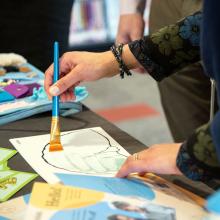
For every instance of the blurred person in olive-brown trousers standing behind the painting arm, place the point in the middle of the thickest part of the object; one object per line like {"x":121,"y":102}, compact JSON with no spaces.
{"x":185,"y":96}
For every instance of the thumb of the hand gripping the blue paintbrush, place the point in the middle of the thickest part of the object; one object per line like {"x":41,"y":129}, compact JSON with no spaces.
{"x":64,"y":83}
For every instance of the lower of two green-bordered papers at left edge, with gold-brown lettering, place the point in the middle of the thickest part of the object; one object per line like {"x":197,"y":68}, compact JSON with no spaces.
{"x":14,"y":184}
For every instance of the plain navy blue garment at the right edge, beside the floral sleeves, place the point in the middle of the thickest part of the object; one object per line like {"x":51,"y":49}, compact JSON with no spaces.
{"x":210,"y":43}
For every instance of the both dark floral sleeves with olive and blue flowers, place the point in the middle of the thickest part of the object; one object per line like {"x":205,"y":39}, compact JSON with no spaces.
{"x":163,"y":53}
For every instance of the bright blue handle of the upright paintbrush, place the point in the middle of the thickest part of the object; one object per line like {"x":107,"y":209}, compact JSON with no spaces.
{"x":55,"y":110}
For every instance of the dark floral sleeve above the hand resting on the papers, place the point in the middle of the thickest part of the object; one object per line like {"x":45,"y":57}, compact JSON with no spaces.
{"x":197,"y":158}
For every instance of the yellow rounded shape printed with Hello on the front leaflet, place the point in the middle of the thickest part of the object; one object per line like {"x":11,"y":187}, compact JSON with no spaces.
{"x":58,"y":197}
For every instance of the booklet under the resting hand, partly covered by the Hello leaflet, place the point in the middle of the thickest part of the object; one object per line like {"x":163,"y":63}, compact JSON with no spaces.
{"x":150,"y":187}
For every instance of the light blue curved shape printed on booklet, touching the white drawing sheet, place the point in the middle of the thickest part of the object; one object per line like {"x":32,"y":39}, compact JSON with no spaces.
{"x":123,"y":187}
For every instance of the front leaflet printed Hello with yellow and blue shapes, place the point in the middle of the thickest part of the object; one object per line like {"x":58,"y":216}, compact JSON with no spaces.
{"x":57,"y":202}
